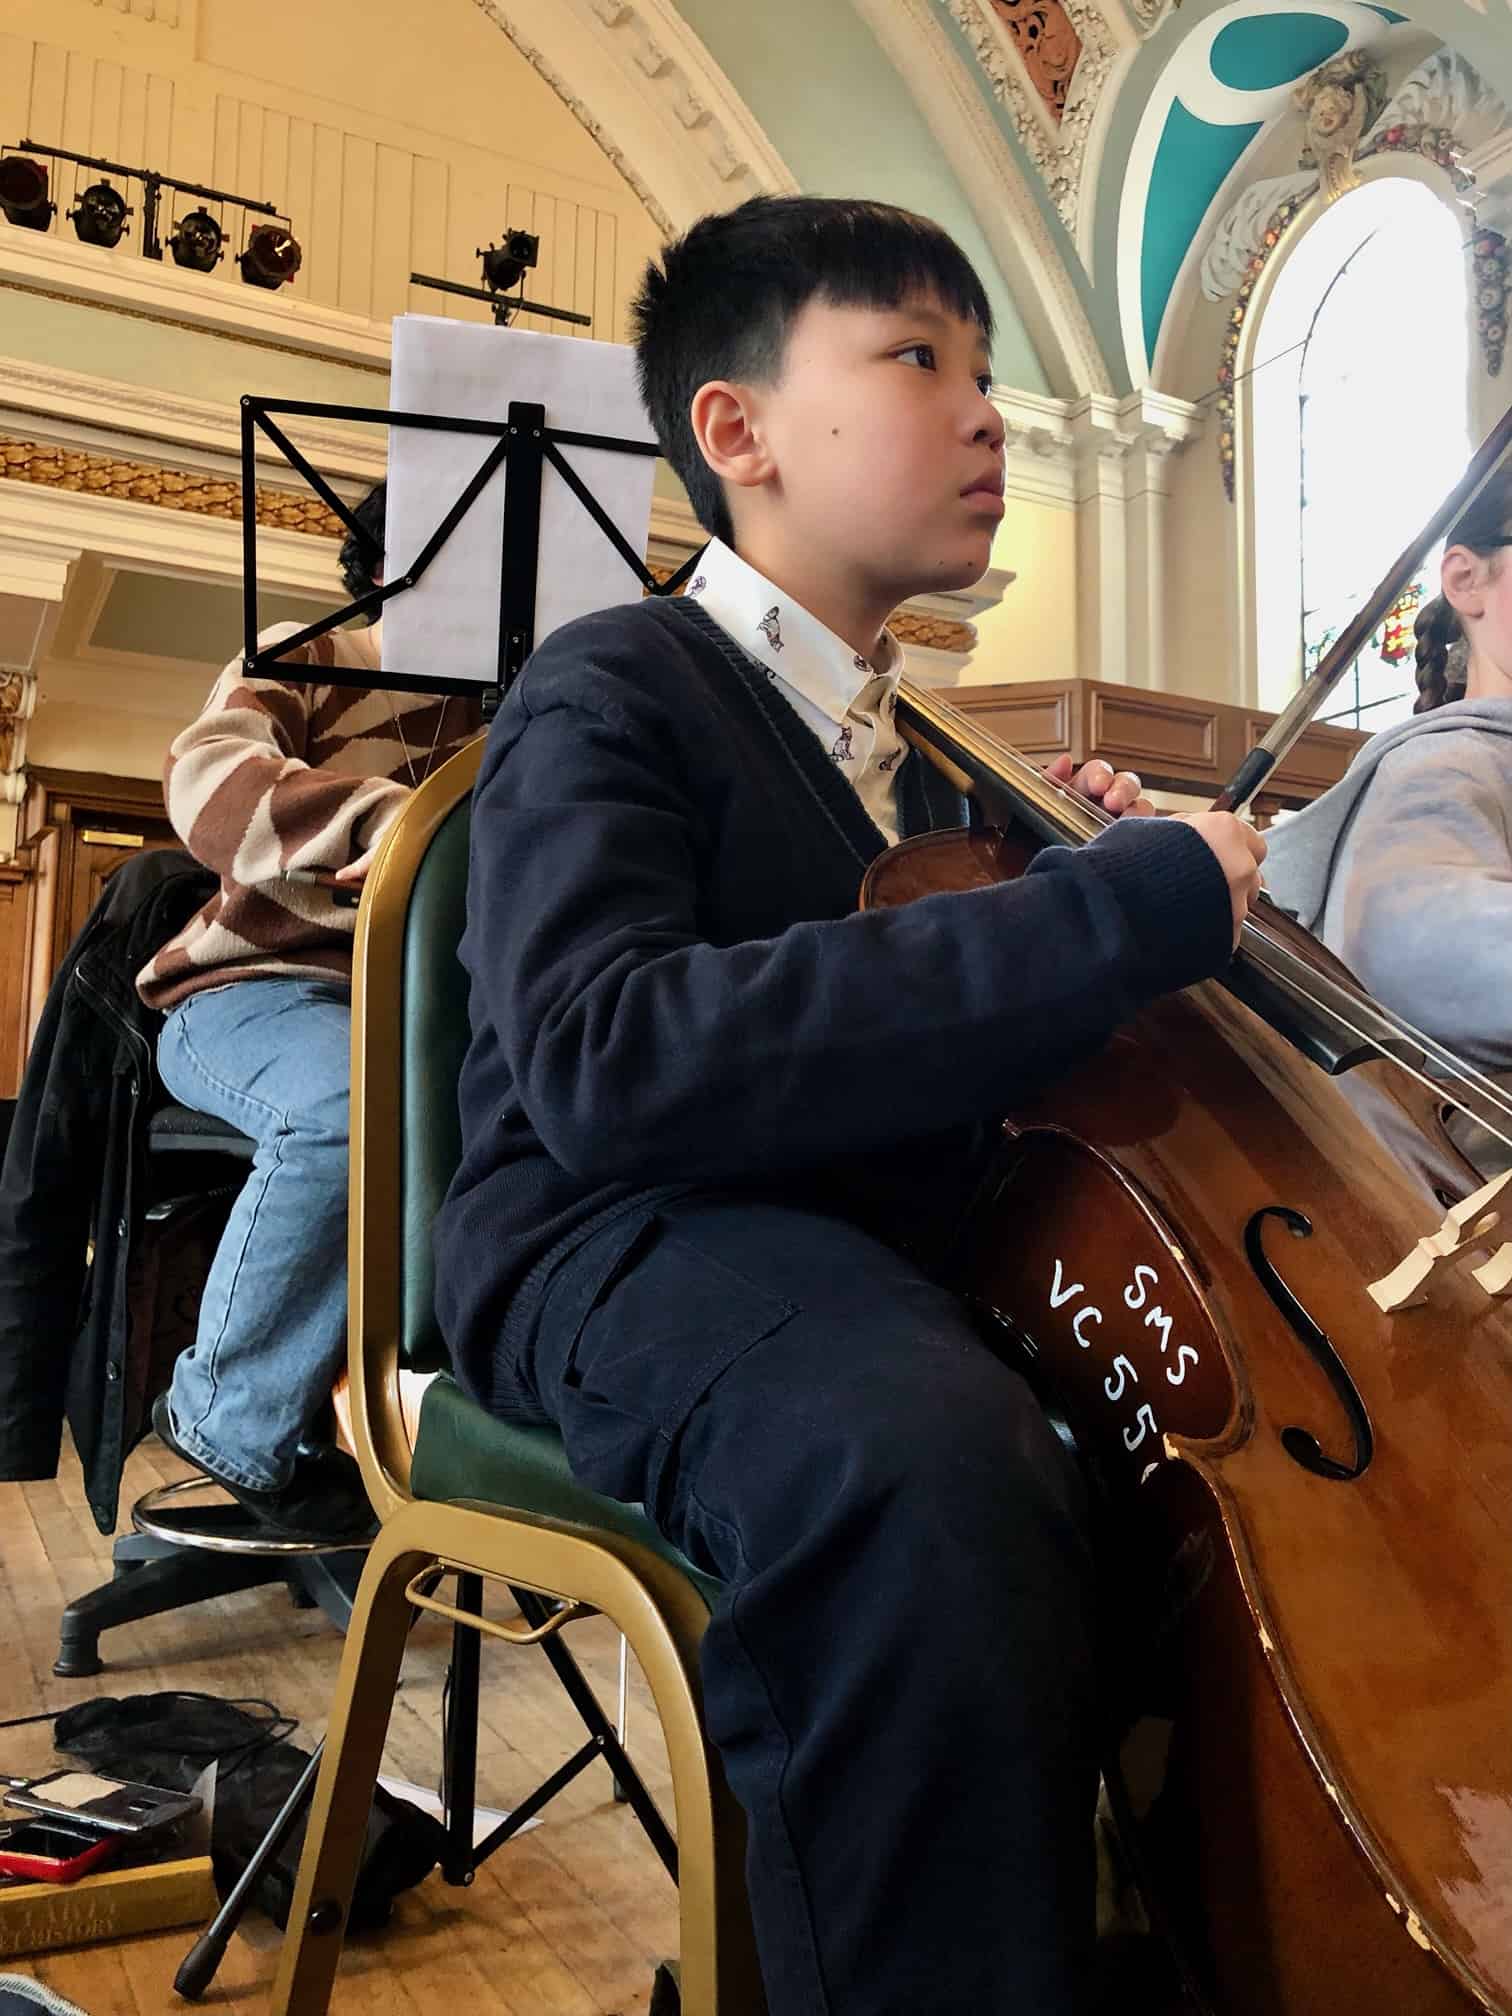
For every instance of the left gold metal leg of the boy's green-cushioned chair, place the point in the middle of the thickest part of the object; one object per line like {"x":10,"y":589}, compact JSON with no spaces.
{"x":344,"y":1793}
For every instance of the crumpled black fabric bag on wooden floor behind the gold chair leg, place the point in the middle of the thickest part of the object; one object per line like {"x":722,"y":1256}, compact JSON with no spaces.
{"x":168,"y":1739}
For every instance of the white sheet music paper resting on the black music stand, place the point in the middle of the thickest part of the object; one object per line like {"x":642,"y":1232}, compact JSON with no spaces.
{"x":449,"y":624}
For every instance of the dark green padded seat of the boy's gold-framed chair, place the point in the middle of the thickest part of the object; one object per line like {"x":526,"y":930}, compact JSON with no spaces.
{"x":465,"y":1453}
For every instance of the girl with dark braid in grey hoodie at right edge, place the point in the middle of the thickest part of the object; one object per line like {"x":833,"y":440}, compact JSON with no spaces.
{"x":1406,"y":866}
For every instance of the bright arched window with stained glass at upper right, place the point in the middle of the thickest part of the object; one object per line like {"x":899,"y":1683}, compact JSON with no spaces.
{"x":1362,"y":426}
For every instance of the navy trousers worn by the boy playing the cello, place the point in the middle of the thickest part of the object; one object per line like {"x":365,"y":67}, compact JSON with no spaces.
{"x":900,"y":1678}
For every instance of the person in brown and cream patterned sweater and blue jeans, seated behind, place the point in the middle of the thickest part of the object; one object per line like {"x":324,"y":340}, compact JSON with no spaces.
{"x":277,"y":777}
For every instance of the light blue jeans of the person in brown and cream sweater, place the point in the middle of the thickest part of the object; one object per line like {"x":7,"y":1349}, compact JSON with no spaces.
{"x":271,"y":1057}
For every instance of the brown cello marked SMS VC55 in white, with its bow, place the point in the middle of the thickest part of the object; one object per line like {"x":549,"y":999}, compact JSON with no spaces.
{"x":1307,"y":1495}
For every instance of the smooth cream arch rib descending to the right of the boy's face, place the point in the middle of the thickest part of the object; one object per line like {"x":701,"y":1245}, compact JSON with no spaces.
{"x":983,"y":162}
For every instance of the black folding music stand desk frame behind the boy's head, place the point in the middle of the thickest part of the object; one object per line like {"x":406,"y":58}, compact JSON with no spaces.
{"x":523,"y":447}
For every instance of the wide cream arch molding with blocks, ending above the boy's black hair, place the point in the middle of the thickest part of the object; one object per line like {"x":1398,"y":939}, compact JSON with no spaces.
{"x":654,"y":100}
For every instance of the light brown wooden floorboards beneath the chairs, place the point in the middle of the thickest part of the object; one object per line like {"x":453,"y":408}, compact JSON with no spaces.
{"x":570,"y":1920}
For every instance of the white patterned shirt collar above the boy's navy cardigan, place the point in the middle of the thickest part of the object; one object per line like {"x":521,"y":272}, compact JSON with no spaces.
{"x":785,"y":638}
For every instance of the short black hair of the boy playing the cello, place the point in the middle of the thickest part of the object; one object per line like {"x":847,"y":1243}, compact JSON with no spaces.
{"x":723,"y":301}
